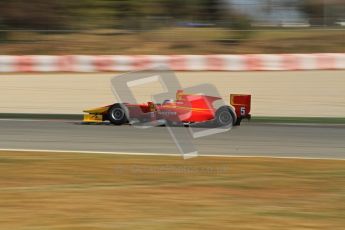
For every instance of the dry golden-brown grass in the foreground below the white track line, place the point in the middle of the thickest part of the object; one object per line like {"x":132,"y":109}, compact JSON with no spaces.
{"x":90,"y":191}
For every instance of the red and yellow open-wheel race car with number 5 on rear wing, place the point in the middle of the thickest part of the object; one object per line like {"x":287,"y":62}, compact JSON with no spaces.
{"x":186,"y":109}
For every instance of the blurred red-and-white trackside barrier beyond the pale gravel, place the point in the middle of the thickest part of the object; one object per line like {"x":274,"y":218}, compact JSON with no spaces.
{"x":116,"y":63}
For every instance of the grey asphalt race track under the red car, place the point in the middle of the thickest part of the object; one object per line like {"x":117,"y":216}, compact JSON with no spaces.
{"x":250,"y":139}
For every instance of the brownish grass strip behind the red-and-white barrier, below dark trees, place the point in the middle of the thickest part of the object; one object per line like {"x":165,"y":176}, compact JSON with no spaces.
{"x":172,"y":40}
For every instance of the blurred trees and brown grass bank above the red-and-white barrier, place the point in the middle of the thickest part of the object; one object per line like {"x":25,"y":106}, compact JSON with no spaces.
{"x":171,"y":26}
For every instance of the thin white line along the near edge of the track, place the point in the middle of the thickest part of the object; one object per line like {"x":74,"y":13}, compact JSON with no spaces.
{"x":167,"y":154}
